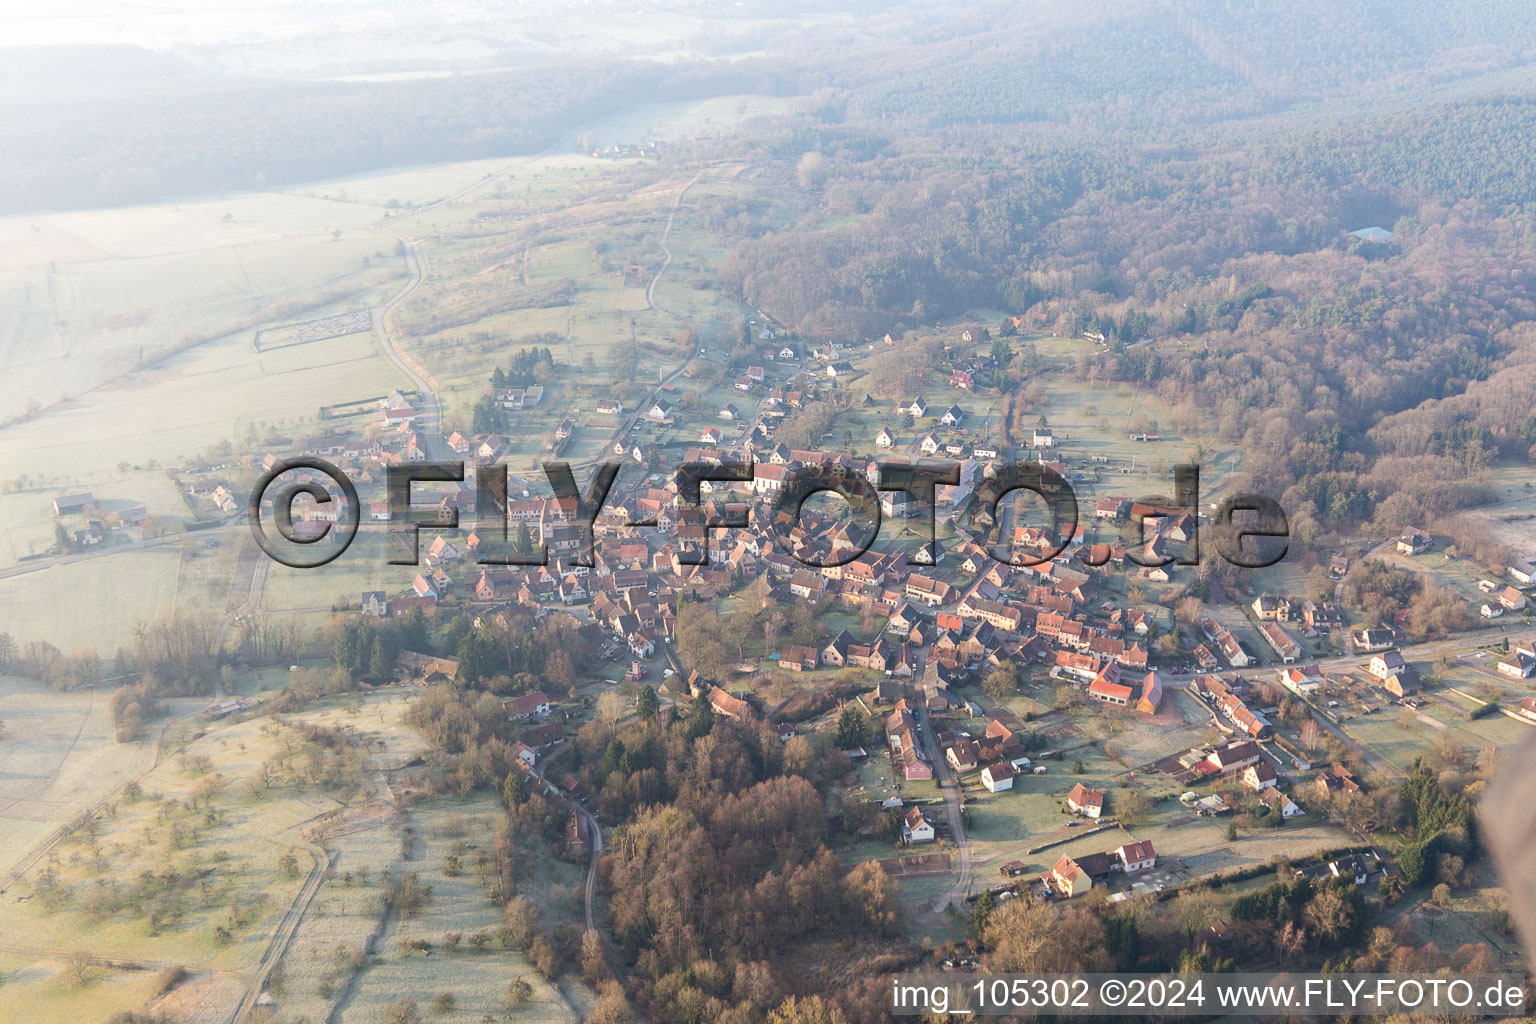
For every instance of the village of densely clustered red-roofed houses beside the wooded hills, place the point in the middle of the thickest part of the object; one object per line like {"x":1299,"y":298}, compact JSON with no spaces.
{"x":972,"y":672}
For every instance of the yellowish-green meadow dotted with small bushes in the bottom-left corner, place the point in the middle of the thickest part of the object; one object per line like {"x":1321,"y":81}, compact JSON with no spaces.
{"x":191,"y":870}
